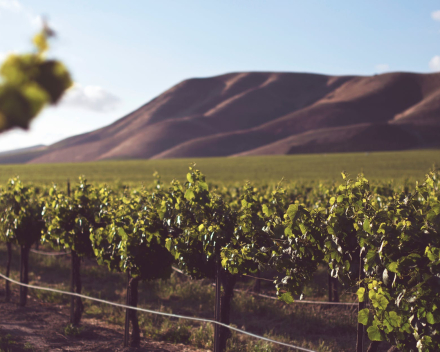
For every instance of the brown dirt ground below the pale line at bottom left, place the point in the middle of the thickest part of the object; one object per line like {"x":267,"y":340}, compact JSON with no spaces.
{"x":40,"y":327}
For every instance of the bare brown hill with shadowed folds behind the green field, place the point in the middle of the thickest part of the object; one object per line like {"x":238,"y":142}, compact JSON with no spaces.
{"x":268,"y":113}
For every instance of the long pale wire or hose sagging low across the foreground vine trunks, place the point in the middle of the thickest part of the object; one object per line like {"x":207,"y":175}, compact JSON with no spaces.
{"x":171,"y":315}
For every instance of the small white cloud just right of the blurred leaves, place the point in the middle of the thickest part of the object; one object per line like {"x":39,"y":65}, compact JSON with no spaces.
{"x":91,"y":97}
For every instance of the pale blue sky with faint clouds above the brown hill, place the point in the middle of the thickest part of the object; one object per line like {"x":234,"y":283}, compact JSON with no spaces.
{"x":124,"y":53}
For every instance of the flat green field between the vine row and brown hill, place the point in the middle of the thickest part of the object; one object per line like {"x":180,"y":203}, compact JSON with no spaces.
{"x":379,"y":166}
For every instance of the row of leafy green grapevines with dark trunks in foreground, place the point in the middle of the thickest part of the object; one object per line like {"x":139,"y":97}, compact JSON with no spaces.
{"x":379,"y":242}
